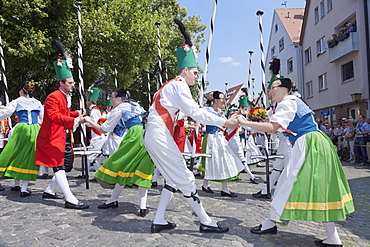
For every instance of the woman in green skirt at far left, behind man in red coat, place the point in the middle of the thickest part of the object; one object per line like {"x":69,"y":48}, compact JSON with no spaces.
{"x":18,"y":157}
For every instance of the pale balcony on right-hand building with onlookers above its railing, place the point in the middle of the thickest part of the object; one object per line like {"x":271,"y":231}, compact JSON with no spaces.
{"x":344,"y":47}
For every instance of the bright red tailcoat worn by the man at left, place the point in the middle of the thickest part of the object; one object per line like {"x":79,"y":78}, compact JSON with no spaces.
{"x":51,"y":140}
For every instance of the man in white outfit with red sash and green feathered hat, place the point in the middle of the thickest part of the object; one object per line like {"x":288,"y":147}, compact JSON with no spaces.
{"x":173,"y":96}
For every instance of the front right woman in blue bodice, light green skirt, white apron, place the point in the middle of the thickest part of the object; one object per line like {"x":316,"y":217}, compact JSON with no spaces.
{"x":309,"y":189}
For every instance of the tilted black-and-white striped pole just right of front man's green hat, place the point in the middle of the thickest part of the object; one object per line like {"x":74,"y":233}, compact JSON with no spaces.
{"x":203,"y":83}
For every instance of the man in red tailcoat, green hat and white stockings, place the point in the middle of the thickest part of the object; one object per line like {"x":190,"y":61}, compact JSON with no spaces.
{"x":53,"y":145}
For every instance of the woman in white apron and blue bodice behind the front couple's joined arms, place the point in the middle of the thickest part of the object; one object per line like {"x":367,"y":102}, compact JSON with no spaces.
{"x":224,"y":165}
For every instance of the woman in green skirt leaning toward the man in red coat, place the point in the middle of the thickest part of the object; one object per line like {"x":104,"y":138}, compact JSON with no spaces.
{"x":130,"y":164}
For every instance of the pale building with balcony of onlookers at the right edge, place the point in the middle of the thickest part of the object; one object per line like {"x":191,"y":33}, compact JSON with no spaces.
{"x":331,"y":75}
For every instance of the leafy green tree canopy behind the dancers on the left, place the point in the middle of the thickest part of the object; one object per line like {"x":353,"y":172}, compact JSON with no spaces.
{"x":116,"y":33}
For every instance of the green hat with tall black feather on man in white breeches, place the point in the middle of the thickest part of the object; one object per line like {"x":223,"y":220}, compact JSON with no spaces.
{"x":186,"y":54}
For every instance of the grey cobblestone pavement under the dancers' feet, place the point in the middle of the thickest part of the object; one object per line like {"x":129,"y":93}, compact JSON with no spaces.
{"x":32,"y":221}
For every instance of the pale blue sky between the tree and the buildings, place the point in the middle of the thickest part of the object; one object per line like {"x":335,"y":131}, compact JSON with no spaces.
{"x":236,"y":32}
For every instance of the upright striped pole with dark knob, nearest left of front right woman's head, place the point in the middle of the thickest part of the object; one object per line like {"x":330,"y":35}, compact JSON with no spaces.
{"x":259,"y":14}
